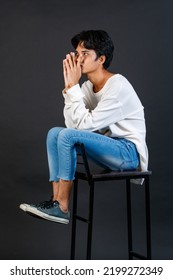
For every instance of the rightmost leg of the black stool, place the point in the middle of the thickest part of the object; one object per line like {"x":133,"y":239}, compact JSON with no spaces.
{"x":148,"y":222}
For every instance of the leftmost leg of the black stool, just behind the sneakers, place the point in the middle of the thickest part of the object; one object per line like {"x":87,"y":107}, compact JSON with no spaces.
{"x":73,"y":236}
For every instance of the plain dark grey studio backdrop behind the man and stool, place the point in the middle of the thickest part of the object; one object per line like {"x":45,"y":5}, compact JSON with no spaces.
{"x":35,"y":36}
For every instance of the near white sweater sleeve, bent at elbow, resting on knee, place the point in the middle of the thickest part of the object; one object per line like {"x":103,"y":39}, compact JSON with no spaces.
{"x":108,"y":110}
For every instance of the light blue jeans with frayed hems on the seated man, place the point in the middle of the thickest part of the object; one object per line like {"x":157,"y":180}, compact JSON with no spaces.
{"x":112,"y":153}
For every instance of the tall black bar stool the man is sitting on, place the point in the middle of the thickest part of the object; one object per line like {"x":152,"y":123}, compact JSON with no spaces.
{"x":110,"y":176}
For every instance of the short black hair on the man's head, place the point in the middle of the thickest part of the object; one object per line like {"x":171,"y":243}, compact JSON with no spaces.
{"x":97,"y":40}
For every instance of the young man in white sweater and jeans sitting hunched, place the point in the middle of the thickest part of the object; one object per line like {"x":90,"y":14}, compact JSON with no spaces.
{"x":105,"y":114}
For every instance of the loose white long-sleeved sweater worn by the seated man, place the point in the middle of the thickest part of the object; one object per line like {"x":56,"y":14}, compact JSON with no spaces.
{"x":115,"y":111}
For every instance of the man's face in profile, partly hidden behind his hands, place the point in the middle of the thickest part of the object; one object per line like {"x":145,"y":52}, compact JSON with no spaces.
{"x":87,"y":58}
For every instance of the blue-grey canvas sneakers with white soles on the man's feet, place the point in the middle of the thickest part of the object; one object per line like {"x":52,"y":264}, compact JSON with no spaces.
{"x":48,"y":210}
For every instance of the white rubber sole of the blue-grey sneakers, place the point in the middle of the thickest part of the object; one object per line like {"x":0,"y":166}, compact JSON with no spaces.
{"x":35,"y":211}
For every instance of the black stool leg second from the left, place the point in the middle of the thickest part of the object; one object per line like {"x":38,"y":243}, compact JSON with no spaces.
{"x":90,"y":219}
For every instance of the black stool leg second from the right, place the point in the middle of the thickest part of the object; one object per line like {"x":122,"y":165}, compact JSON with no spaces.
{"x":129,"y":217}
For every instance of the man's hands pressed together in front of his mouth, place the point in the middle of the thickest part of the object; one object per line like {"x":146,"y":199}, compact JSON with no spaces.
{"x":71,"y":70}
